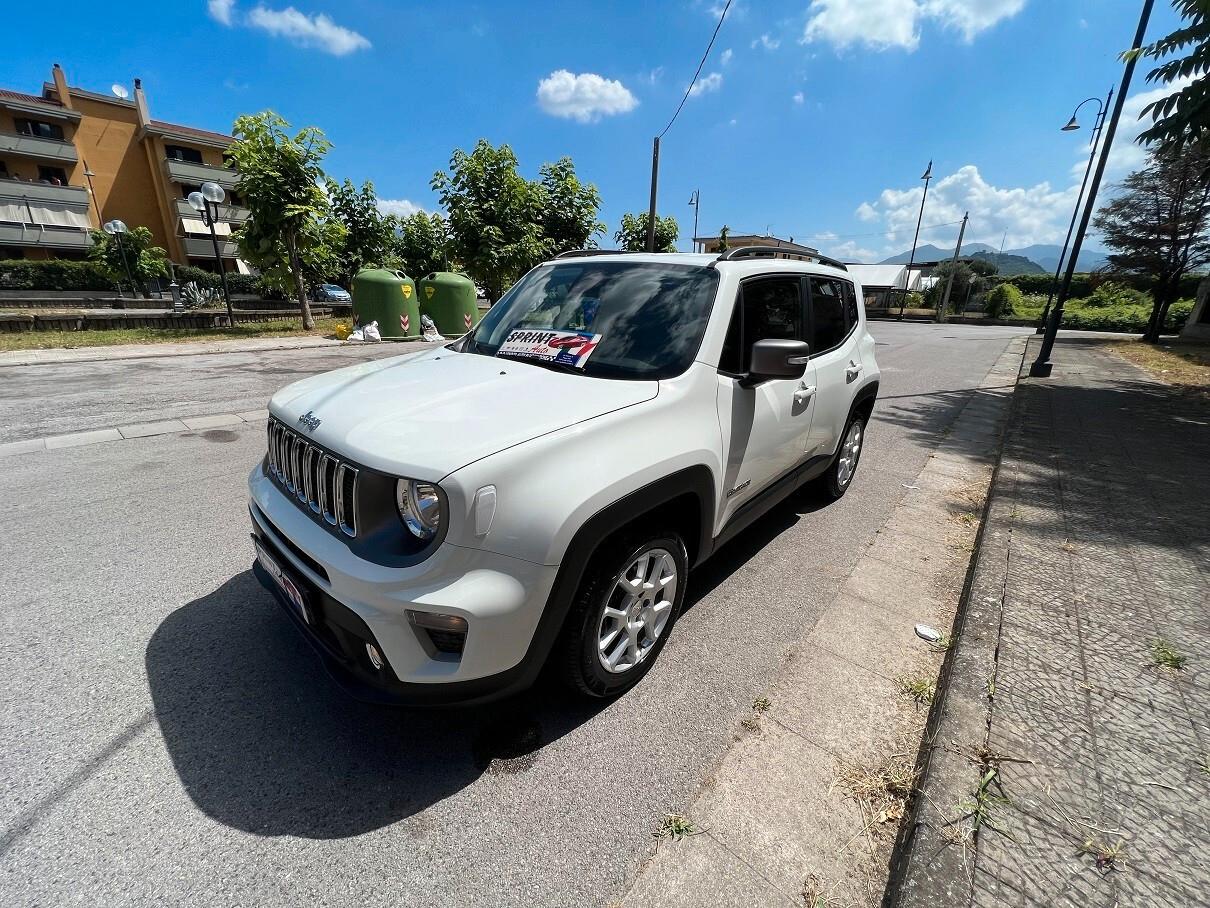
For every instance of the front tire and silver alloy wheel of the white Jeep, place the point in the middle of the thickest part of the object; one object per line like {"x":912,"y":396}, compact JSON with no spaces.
{"x":604,"y":588}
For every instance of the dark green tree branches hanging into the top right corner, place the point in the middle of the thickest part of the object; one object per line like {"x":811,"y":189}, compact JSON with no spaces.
{"x":1183,"y":118}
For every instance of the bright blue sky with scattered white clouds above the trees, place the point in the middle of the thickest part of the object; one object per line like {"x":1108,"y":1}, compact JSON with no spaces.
{"x":814,"y":120}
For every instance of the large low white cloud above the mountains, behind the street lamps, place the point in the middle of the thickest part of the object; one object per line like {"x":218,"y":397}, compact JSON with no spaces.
{"x":1029,"y":215}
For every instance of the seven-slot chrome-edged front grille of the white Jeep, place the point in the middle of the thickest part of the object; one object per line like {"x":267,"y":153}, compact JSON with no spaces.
{"x":325,"y":485}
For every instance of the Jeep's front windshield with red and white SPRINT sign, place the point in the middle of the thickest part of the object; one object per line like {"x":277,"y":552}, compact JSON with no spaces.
{"x":635,"y":320}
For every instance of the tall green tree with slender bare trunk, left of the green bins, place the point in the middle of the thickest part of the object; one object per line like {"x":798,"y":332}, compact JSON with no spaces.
{"x":291,"y":234}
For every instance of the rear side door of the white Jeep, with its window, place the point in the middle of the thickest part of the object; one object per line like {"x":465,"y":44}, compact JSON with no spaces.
{"x":837,"y":358}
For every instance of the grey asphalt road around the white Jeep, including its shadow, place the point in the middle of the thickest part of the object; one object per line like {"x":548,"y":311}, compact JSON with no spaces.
{"x":166,"y":737}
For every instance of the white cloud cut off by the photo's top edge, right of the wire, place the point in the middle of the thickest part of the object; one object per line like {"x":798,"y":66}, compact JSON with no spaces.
{"x":896,"y":24}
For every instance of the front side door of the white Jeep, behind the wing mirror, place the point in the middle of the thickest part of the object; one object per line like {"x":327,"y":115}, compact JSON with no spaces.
{"x":765,"y":427}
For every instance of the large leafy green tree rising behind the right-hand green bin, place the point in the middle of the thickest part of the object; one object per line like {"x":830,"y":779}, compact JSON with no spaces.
{"x":495,"y":216}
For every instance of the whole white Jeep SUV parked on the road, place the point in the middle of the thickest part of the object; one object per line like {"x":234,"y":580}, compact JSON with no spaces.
{"x":445,"y":524}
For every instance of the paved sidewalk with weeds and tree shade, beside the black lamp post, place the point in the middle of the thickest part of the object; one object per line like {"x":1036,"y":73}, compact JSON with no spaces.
{"x":1069,"y":765}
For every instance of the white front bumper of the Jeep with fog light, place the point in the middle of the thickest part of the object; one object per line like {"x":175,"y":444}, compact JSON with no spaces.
{"x":356,"y":602}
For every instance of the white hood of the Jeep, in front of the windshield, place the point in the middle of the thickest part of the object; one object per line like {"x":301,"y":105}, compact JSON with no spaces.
{"x":430,"y":413}
